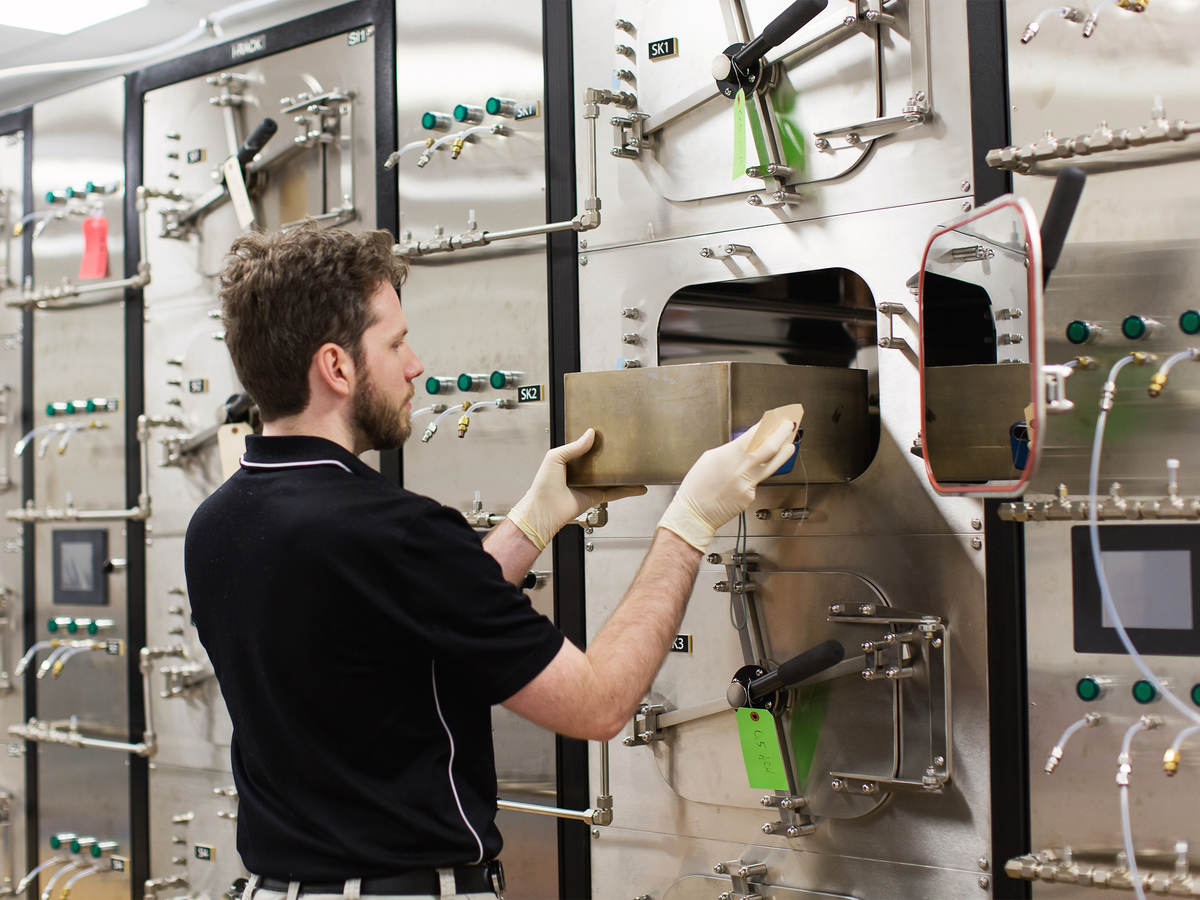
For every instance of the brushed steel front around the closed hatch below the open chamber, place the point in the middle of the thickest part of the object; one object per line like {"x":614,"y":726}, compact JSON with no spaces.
{"x":935,"y":574}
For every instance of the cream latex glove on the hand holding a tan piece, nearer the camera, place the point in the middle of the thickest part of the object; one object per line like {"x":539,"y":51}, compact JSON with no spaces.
{"x":723,"y":483}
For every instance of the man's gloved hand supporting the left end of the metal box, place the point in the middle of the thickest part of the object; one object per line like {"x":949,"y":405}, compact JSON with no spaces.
{"x":549,"y":505}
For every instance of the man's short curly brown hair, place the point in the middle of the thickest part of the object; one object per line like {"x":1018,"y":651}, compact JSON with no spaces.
{"x":285,"y":295}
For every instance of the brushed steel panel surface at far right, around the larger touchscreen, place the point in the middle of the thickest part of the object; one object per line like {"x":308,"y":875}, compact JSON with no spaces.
{"x":1131,"y":251}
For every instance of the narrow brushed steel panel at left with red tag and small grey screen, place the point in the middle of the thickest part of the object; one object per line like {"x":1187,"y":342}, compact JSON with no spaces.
{"x":80,"y":353}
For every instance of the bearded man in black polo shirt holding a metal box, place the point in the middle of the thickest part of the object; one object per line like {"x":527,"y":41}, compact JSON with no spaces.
{"x":362,"y":633}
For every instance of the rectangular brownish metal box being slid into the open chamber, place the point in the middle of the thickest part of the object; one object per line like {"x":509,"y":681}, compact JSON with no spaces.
{"x":653,"y":424}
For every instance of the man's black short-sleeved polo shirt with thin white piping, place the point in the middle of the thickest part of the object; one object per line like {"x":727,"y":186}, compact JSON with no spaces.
{"x":361,"y":635}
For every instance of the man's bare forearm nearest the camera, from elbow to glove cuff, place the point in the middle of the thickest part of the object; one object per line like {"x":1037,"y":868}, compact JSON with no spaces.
{"x":629,"y":650}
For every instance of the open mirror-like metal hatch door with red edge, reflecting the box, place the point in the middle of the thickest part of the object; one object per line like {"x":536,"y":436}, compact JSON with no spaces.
{"x":981,"y":351}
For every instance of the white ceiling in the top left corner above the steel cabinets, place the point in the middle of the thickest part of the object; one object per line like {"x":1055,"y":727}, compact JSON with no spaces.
{"x":160,"y":22}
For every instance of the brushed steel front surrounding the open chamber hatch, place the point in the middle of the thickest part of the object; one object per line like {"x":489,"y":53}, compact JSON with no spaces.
{"x":891,"y":496}
